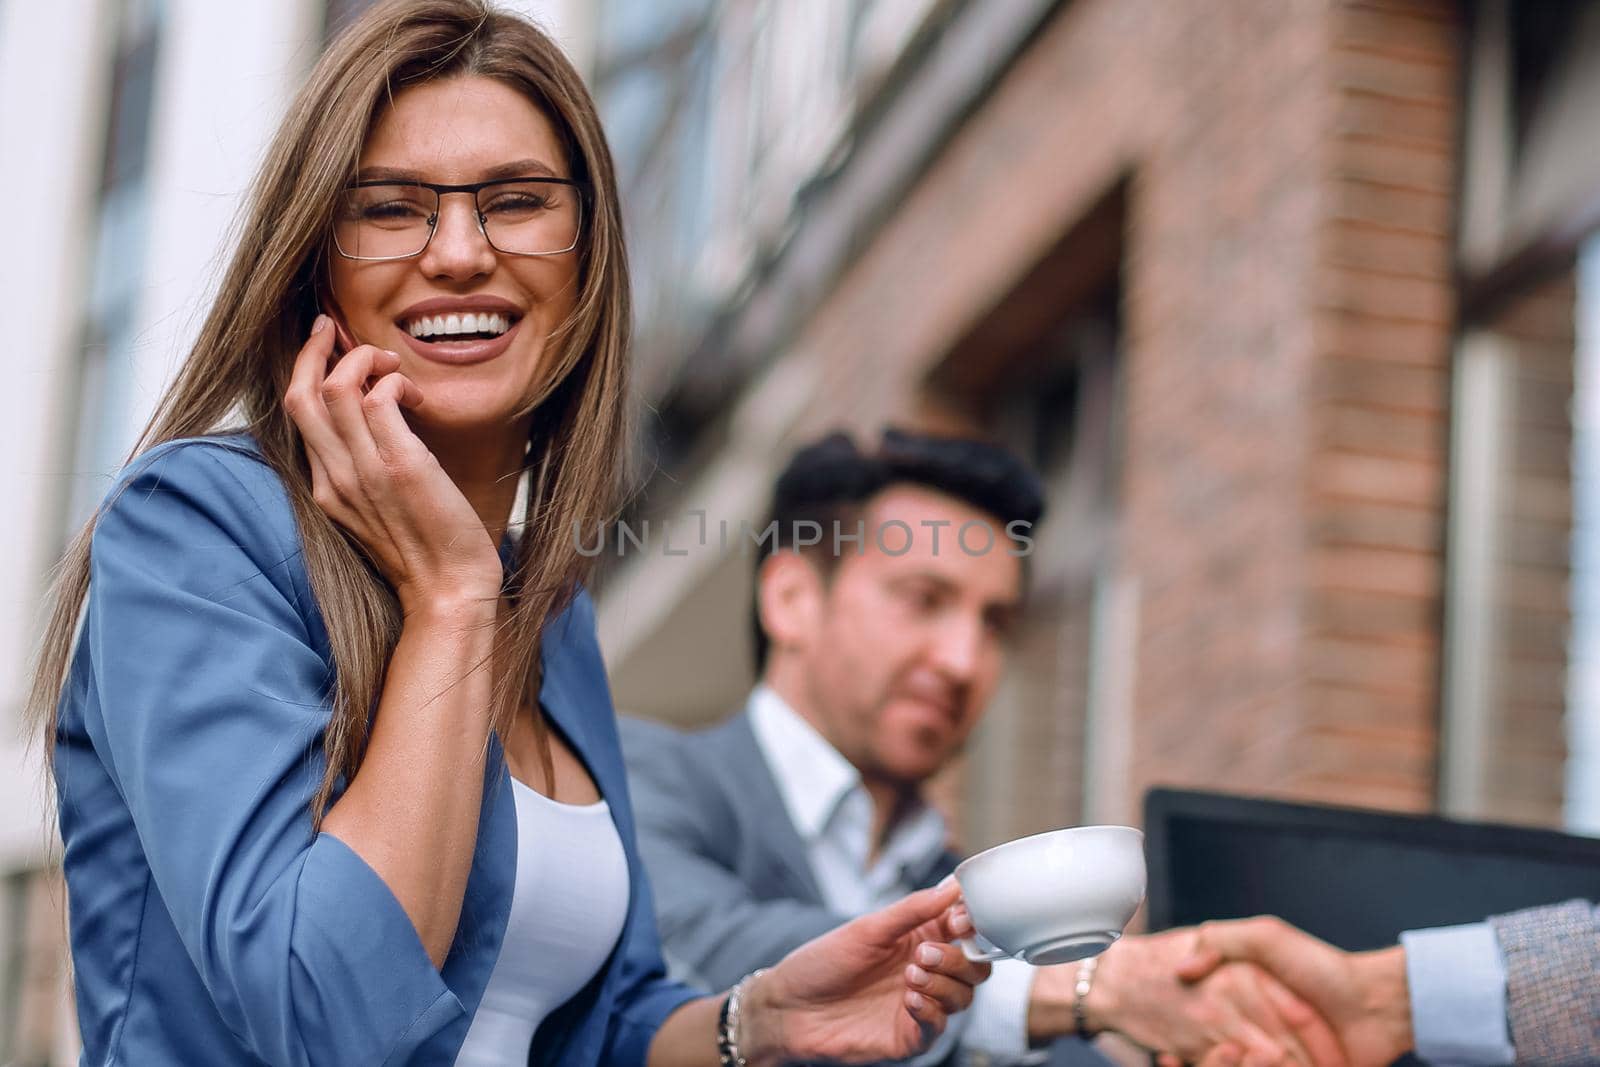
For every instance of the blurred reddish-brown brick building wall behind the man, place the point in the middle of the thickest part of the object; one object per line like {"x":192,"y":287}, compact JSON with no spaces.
{"x":1287,"y":313}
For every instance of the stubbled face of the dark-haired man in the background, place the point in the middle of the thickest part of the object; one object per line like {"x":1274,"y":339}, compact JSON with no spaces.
{"x":905,"y":650}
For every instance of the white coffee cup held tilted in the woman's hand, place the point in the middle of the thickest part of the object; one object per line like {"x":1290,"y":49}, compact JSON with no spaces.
{"x":1054,"y":898}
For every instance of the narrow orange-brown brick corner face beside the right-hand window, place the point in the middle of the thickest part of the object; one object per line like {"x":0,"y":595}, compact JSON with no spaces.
{"x":1378,"y":404}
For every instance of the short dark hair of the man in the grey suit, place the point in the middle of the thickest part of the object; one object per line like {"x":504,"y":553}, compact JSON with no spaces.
{"x":831,"y":482}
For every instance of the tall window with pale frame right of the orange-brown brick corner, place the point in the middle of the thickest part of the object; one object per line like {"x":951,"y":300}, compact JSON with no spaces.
{"x":1522,"y":604}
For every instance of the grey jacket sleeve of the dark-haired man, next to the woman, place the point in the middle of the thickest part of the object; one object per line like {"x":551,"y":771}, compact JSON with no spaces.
{"x":714,"y":929}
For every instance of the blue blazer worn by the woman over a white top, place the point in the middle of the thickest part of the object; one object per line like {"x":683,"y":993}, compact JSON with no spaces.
{"x":209,"y":924}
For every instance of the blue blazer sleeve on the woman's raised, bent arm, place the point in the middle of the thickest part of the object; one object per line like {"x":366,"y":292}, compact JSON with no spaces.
{"x":214,"y":713}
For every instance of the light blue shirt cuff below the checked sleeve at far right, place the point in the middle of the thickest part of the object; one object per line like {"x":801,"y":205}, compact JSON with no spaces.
{"x":1458,"y":996}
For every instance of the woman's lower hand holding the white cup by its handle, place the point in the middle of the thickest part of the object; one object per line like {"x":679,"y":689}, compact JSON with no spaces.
{"x":879,"y":988}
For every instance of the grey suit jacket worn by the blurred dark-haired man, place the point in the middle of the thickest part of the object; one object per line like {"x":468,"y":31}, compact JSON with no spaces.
{"x":730,"y":874}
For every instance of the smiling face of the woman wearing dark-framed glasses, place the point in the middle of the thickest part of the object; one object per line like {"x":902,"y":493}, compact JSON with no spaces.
{"x":481,"y":238}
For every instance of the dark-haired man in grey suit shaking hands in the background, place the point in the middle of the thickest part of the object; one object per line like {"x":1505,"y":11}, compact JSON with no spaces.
{"x":882,"y":613}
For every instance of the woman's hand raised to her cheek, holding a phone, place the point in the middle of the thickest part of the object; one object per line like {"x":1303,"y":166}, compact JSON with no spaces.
{"x":378,"y":481}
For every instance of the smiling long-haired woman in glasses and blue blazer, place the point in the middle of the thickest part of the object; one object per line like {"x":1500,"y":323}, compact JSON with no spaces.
{"x":337,"y":764}
